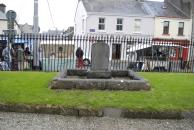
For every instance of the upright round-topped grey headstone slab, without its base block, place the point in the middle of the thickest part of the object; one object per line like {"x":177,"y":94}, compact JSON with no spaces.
{"x":100,"y":56}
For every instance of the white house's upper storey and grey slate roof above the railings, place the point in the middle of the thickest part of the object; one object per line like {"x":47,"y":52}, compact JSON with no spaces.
{"x":113,"y":17}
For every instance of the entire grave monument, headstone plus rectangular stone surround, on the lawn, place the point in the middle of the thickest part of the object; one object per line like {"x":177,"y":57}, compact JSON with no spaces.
{"x":99,"y":76}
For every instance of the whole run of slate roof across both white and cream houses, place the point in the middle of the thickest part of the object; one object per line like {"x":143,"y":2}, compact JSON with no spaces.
{"x":133,"y":8}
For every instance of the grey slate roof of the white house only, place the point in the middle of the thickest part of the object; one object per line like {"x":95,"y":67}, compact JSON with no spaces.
{"x":125,"y":7}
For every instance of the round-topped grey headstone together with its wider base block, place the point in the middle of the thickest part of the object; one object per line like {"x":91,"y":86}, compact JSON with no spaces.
{"x":100,"y":61}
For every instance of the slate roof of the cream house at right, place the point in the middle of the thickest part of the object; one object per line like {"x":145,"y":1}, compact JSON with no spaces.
{"x":162,"y":9}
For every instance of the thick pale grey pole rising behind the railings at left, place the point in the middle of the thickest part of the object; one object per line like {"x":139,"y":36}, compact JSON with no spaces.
{"x":36,"y":57}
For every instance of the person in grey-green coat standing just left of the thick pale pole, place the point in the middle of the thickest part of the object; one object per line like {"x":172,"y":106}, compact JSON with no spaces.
{"x":20,"y":58}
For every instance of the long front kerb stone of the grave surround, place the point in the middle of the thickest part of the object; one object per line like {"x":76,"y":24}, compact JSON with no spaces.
{"x":100,"y":84}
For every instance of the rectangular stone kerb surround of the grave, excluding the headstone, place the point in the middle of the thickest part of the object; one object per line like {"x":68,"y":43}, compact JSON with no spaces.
{"x":134,"y":83}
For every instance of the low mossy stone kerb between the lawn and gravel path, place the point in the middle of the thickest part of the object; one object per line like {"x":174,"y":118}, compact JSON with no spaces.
{"x":105,"y":112}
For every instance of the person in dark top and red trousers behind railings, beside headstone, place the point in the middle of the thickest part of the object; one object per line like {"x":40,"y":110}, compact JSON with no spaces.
{"x":79,"y":56}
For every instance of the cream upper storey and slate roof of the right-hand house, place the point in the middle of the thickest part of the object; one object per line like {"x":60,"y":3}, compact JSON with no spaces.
{"x":170,"y":23}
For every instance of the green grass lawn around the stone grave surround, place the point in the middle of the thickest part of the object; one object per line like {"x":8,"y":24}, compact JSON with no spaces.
{"x":170,"y":91}
